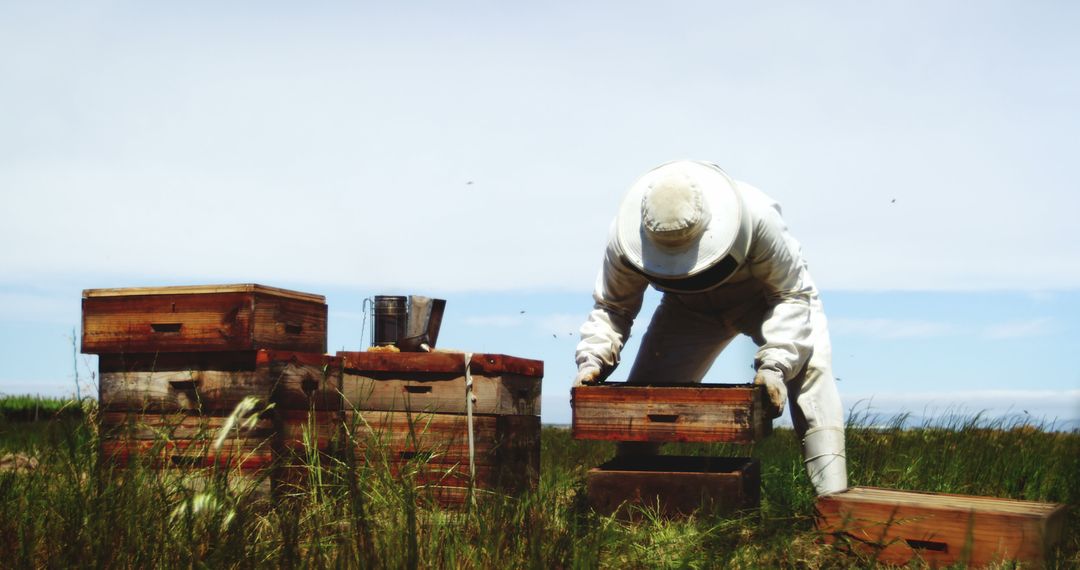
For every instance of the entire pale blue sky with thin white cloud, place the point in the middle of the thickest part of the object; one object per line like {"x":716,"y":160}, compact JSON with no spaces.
{"x":924,"y":154}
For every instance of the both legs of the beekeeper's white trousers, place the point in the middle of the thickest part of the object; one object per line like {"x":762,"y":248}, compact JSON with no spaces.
{"x":681,"y":345}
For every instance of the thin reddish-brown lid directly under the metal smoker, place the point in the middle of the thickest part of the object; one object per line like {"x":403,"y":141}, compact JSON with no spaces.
{"x":439,"y":363}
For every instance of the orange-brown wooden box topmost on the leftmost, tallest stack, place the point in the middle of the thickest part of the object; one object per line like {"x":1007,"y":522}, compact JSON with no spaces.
{"x":213,"y":318}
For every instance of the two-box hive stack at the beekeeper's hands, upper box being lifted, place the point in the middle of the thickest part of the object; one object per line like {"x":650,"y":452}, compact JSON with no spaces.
{"x":657,"y":414}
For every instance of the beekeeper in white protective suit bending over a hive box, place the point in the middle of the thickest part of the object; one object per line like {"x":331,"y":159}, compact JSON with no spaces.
{"x":722,"y":255}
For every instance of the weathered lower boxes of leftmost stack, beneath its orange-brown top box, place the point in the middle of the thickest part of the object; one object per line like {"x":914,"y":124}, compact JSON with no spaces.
{"x":172,"y":408}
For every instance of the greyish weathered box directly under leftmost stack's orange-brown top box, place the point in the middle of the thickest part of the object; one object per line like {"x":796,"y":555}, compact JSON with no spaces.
{"x":219,"y":382}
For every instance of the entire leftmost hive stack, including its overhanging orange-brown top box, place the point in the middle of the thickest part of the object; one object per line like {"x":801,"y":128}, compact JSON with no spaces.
{"x":177,"y":362}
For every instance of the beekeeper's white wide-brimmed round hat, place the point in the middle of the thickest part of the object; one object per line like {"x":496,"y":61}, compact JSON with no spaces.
{"x":684,"y":226}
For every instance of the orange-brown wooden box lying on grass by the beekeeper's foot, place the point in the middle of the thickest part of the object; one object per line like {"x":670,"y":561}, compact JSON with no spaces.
{"x":941,"y":530}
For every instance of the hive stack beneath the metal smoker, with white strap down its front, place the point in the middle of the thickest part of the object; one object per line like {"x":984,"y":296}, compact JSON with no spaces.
{"x":416,"y":412}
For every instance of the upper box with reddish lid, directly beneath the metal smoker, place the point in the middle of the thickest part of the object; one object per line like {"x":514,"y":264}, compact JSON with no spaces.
{"x":503,"y":386}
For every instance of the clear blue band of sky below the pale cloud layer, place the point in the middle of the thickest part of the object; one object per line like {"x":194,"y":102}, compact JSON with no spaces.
{"x":920,"y":352}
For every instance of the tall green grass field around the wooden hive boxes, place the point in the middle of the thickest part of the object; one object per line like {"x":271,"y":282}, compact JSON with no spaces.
{"x":69,"y":509}
